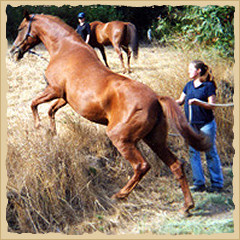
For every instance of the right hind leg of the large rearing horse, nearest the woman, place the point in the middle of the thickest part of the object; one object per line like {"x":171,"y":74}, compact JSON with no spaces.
{"x":157,"y":141}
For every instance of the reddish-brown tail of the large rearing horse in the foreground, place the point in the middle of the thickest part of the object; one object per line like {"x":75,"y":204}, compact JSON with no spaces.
{"x":173,"y":112}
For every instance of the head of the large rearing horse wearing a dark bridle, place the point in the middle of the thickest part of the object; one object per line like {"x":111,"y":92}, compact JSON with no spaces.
{"x":27,"y":36}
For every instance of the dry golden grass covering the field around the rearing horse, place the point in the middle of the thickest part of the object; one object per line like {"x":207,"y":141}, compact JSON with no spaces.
{"x":64,"y":183}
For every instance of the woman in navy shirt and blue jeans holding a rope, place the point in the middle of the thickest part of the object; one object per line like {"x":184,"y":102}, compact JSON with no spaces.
{"x":201,"y":118}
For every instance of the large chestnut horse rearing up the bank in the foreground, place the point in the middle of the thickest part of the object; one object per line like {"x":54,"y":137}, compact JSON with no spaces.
{"x":130,"y":110}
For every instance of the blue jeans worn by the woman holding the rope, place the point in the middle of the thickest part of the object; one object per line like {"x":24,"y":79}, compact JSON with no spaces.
{"x":213,"y":161}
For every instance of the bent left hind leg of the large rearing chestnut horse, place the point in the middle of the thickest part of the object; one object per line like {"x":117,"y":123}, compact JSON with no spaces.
{"x":129,"y":151}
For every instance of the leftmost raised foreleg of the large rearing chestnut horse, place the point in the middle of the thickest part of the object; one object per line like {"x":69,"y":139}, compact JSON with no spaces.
{"x":47,"y":95}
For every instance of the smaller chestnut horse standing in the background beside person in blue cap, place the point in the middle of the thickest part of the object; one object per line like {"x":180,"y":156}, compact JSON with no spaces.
{"x":119,"y":35}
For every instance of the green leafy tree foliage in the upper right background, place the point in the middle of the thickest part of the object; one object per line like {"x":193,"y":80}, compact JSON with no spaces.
{"x":210,"y":26}
